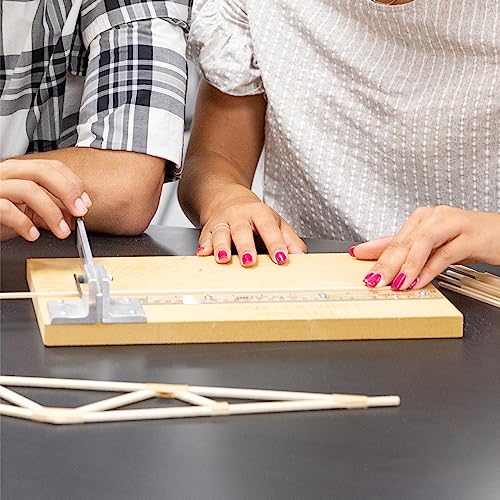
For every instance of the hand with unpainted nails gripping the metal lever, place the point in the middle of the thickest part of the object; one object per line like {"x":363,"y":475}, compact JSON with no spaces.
{"x":39,"y":193}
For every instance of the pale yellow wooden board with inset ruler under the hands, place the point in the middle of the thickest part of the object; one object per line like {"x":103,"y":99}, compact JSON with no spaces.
{"x":263,"y":303}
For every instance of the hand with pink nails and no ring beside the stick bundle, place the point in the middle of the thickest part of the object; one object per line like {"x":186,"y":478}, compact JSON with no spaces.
{"x":428,"y":242}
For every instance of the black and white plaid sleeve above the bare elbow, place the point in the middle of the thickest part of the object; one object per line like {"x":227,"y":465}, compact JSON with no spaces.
{"x":135,"y":86}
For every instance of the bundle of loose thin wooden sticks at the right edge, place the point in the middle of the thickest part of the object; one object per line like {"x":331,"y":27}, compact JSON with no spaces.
{"x":481,"y":286}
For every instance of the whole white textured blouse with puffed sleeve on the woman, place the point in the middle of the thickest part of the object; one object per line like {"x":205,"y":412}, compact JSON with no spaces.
{"x":373,"y":110}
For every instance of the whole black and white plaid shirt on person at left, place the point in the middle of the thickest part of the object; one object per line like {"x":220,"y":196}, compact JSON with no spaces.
{"x":108,"y":74}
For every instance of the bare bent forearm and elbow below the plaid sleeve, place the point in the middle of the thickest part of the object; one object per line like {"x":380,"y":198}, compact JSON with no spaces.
{"x":124,"y":187}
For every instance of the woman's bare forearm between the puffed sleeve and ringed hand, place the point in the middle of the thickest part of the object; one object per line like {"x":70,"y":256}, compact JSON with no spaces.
{"x":226,"y":143}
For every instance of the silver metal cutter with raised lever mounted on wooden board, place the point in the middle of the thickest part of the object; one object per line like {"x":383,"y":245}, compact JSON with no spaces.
{"x":95,"y":304}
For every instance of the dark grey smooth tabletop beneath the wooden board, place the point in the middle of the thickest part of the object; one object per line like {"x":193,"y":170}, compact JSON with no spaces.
{"x":442,"y":443}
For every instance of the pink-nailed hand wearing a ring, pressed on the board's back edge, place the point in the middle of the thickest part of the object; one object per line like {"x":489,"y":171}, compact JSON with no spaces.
{"x":237,"y":217}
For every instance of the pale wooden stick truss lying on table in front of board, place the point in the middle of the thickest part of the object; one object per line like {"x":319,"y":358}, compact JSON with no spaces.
{"x":202,"y":401}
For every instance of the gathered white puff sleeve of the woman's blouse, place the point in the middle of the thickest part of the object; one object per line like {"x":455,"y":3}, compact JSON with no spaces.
{"x":220,"y":43}
